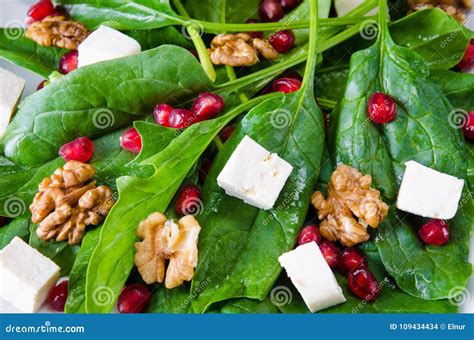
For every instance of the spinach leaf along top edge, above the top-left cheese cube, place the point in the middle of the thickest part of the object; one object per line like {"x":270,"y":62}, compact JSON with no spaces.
{"x":135,"y":14}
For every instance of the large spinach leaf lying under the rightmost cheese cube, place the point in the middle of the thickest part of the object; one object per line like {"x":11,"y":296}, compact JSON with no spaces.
{"x":421,"y":133}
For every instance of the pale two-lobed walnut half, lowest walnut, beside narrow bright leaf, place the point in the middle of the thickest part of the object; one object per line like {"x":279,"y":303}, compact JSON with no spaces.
{"x":164,"y":240}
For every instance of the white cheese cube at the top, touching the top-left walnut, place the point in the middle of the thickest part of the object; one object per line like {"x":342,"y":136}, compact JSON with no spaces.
{"x":105,"y":43}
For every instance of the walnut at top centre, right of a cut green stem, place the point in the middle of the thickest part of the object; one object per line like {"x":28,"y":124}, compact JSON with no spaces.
{"x":239,"y":50}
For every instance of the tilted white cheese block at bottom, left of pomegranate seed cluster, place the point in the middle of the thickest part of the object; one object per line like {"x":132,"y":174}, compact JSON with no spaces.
{"x":312,"y":276}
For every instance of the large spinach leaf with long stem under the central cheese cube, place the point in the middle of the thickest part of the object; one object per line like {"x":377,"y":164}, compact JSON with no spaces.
{"x":240,"y":244}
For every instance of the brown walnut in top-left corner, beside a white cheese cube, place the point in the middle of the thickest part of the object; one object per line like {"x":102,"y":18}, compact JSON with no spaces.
{"x":57,"y":31}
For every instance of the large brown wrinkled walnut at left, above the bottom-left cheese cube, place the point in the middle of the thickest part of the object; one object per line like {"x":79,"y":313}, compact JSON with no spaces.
{"x":68,"y":201}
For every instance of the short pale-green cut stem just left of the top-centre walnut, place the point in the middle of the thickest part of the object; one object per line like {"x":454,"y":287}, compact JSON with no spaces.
{"x":195,"y":36}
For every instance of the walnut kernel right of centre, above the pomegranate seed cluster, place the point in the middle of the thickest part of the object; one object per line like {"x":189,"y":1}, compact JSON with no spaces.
{"x":352,"y":205}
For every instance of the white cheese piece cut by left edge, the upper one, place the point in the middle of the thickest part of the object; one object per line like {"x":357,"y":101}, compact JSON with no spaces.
{"x":11,"y":88}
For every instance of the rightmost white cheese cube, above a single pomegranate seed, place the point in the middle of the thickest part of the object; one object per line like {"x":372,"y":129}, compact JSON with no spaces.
{"x":429,"y":193}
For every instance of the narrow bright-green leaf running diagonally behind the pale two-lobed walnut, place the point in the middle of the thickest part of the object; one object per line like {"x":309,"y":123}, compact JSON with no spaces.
{"x":112,"y":259}
